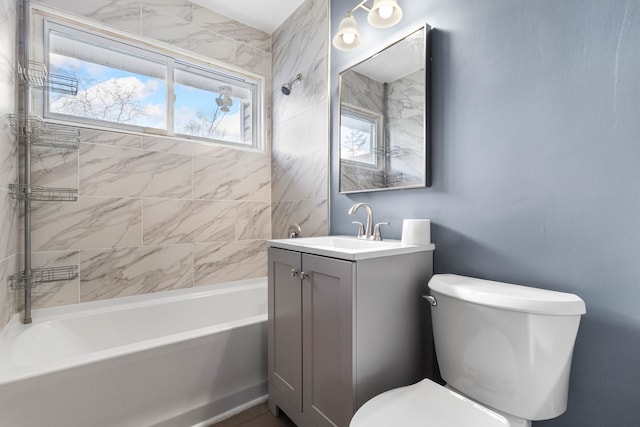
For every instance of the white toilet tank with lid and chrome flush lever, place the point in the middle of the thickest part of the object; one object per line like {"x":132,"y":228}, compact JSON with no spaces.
{"x":506,"y":346}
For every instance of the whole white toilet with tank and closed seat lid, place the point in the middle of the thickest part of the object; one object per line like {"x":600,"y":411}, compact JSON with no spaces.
{"x":504,"y":351}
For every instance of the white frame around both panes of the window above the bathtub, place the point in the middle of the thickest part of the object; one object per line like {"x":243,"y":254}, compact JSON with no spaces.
{"x":152,"y":50}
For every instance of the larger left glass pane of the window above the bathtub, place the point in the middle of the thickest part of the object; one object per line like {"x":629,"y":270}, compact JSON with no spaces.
{"x":113,"y":85}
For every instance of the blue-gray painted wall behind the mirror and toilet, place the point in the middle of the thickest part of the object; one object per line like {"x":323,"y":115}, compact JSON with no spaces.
{"x":536,"y":167}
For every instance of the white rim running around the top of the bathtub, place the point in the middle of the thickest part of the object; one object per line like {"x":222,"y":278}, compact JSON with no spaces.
{"x":16,"y":327}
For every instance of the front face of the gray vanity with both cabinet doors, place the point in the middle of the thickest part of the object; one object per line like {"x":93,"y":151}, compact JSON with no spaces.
{"x":309,"y":336}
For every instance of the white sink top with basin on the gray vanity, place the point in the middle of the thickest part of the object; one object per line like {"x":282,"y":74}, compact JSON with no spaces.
{"x":348,"y":247}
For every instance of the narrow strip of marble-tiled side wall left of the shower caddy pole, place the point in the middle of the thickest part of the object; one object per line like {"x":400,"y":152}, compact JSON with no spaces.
{"x":8,"y":159}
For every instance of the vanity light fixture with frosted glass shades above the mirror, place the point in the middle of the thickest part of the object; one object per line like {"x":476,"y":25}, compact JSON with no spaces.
{"x":383,"y":14}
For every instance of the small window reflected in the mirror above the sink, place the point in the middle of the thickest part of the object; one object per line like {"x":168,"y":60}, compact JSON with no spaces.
{"x":360,"y":136}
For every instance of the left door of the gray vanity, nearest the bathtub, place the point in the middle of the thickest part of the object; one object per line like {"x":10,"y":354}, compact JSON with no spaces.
{"x":285,"y":325}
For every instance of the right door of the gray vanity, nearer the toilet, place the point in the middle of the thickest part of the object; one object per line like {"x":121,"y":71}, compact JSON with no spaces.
{"x":328,"y":398}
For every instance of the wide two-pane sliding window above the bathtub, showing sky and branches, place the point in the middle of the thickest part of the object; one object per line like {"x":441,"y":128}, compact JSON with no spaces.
{"x":125,"y":86}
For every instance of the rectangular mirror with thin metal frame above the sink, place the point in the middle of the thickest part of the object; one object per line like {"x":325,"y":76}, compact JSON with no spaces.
{"x":384,"y":138}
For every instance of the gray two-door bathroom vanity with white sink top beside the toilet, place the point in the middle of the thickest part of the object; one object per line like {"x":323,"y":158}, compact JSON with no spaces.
{"x":346,"y":322}
